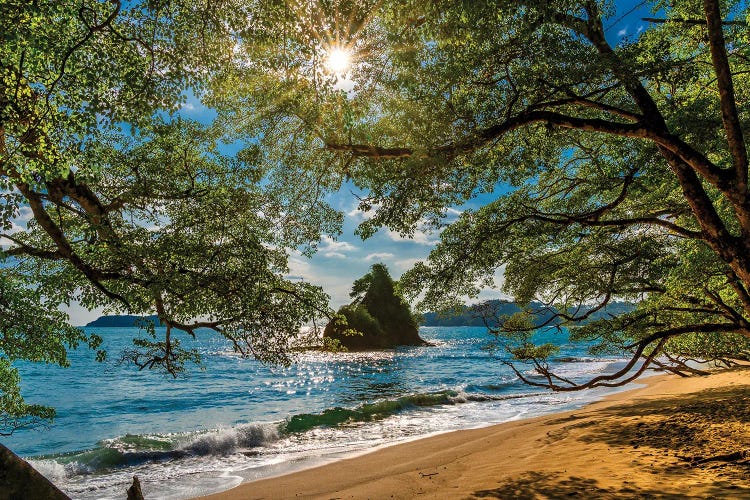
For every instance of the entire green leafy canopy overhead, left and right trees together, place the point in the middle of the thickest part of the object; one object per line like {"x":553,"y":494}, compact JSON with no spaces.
{"x":626,"y":159}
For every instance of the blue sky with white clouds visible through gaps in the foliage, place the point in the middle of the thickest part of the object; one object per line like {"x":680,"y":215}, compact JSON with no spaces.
{"x":341,"y":260}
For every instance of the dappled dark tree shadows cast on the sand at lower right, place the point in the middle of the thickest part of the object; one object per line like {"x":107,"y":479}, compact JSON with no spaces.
{"x":705,"y":434}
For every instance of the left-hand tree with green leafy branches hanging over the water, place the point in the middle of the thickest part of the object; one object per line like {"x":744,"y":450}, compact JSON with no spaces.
{"x":132,"y":207}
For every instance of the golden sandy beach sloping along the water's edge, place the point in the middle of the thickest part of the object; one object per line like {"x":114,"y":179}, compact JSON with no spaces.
{"x":674,"y":438}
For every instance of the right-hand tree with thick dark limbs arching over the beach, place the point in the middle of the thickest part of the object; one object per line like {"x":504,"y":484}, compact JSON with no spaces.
{"x":627,"y":164}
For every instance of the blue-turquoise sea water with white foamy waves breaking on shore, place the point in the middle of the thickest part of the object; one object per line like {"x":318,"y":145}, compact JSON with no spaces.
{"x":239,"y":420}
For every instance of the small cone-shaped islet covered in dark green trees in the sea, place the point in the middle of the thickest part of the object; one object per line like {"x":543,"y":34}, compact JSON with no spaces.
{"x":378,"y":315}
